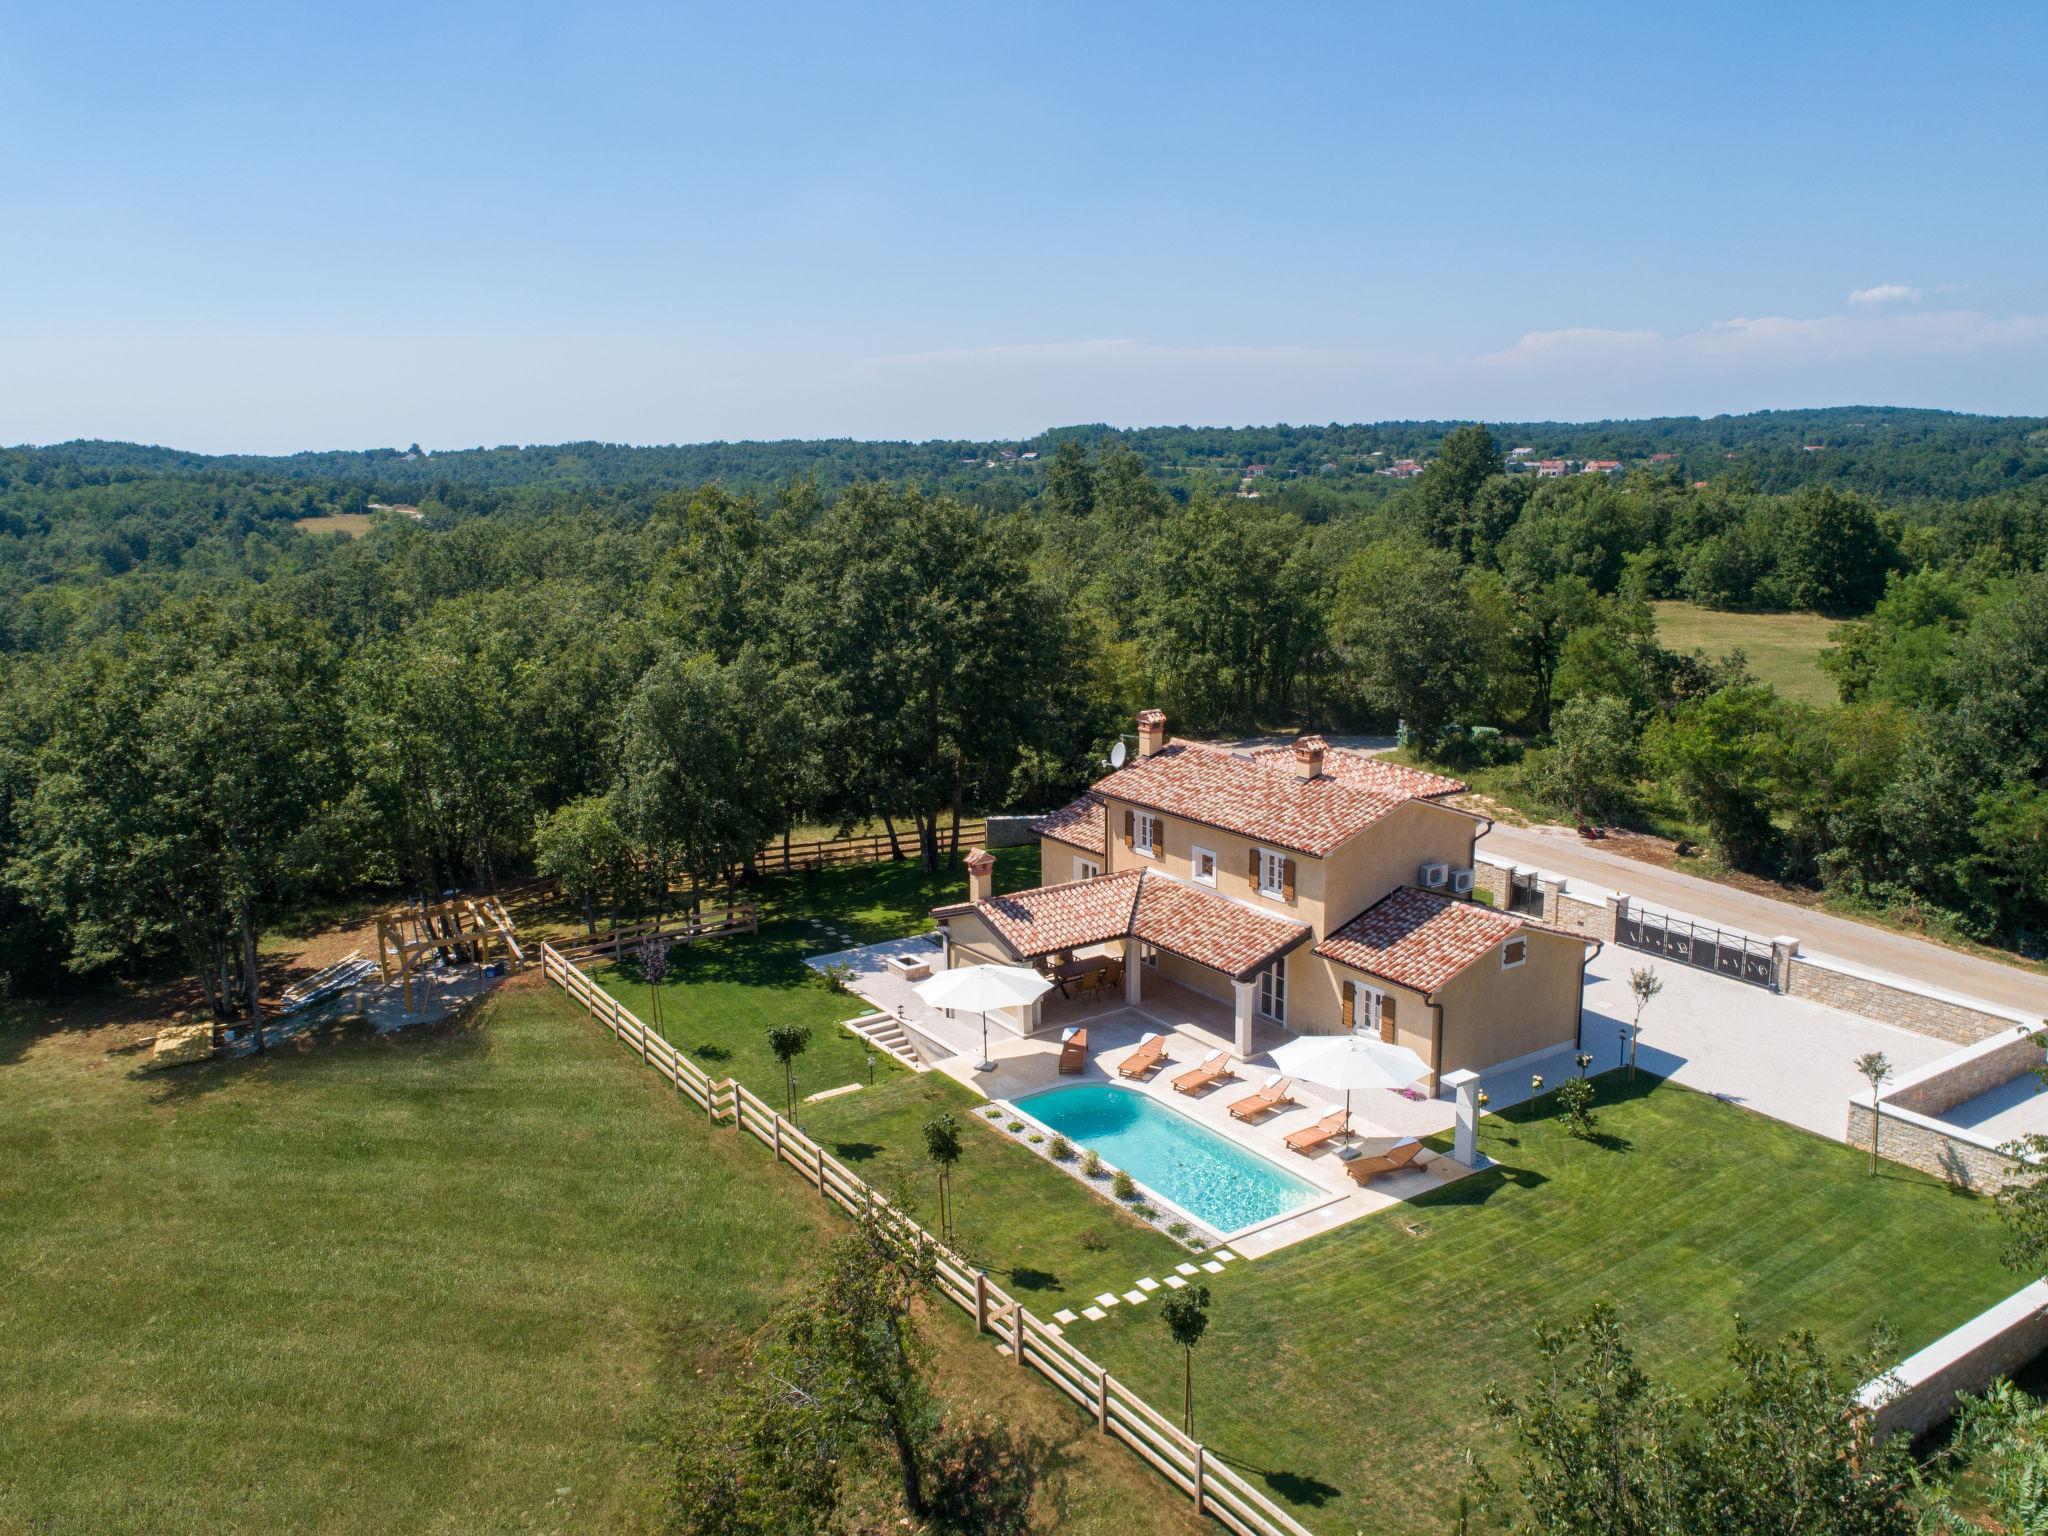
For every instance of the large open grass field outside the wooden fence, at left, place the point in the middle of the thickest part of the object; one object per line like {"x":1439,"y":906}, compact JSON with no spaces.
{"x":437,"y":1285}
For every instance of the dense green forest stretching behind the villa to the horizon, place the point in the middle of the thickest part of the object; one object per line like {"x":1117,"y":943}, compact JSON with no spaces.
{"x":638,"y":665}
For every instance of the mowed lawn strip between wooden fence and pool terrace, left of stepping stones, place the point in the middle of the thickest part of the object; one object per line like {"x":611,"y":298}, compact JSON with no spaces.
{"x":1050,"y":1240}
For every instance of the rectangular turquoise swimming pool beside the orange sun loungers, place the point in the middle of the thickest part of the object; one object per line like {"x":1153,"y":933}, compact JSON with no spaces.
{"x":1209,"y":1177}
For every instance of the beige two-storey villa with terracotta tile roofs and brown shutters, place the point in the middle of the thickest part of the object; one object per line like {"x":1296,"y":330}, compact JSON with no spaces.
{"x":1310,"y":890}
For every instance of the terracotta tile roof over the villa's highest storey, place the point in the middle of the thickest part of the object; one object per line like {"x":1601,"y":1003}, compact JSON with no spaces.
{"x":1258,"y":796}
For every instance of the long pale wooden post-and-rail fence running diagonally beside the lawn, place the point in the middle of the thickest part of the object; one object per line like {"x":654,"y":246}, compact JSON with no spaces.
{"x":1215,"y":1488}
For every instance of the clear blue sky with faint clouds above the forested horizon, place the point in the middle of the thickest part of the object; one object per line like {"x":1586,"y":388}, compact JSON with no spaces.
{"x":269,"y":228}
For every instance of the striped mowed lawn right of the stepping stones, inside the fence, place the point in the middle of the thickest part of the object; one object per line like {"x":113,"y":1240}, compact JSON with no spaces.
{"x":1349,"y":1373}
